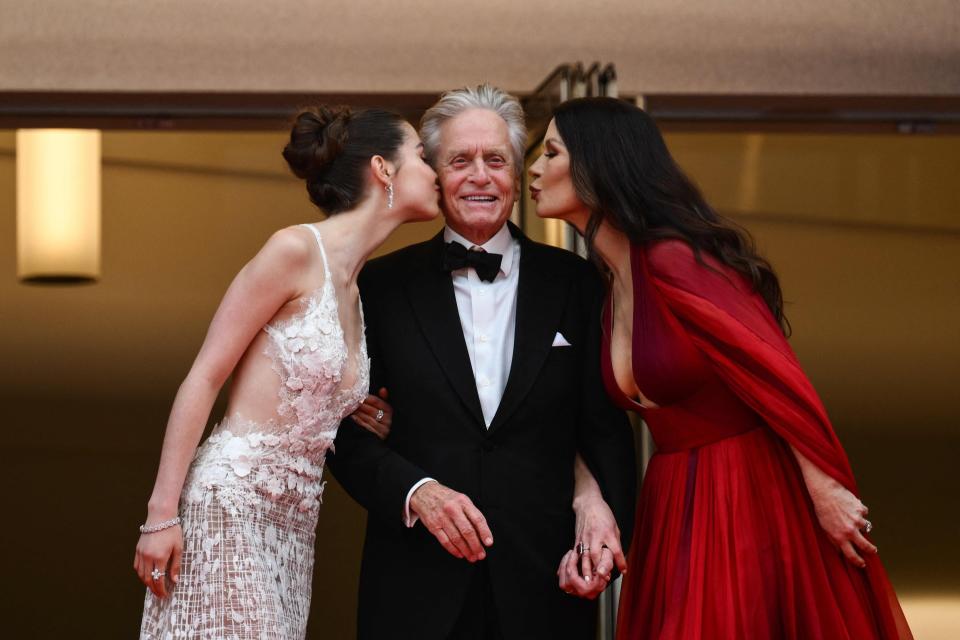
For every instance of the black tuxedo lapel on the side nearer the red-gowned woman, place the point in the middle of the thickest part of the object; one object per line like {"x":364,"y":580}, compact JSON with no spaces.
{"x":541,"y":297}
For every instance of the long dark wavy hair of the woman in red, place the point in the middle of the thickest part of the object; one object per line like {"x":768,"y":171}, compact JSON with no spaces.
{"x":623,"y":172}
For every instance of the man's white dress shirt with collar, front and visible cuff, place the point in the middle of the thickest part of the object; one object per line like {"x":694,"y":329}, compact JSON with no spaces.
{"x":488,"y":316}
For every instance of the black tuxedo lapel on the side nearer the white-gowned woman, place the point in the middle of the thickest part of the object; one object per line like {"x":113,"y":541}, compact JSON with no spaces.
{"x":431,"y":295}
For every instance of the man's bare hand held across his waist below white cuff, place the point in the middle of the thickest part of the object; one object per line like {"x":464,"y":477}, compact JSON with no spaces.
{"x":453,"y":519}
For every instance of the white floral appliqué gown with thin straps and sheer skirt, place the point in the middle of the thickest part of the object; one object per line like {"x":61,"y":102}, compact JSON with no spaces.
{"x":251,"y":499}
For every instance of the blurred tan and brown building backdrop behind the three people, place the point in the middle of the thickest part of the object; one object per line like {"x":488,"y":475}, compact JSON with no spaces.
{"x":831,"y":130}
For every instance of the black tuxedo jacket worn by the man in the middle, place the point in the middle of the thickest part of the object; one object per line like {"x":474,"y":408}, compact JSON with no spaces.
{"x":519,"y":472}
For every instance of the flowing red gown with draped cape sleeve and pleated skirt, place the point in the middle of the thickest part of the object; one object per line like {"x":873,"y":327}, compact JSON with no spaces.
{"x":727,"y":545}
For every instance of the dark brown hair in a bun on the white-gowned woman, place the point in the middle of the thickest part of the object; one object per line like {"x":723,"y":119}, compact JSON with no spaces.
{"x":330,"y":148}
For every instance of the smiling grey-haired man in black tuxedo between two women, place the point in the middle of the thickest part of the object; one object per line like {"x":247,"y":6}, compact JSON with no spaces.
{"x":489,"y":346}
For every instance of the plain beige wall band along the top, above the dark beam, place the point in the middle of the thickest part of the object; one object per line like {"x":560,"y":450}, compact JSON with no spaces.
{"x":659,"y":46}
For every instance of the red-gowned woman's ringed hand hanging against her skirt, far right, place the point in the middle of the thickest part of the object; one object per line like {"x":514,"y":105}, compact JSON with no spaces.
{"x":843,"y":518}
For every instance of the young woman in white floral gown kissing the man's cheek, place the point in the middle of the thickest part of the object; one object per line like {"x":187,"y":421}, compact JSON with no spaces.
{"x":227,"y":547}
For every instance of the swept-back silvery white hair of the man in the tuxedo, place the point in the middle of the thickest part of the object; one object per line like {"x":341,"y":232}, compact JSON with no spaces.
{"x":484,"y":96}
